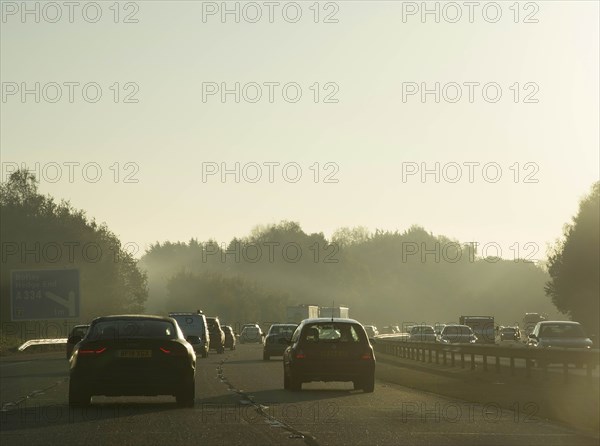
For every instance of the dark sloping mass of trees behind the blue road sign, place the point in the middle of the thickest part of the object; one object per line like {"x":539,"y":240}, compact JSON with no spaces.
{"x":38,"y":233}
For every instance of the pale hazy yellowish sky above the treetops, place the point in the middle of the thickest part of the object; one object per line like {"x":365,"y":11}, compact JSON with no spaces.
{"x":529,"y":95}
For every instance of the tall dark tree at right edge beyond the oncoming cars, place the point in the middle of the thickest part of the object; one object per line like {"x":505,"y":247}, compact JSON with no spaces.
{"x":574,"y":265}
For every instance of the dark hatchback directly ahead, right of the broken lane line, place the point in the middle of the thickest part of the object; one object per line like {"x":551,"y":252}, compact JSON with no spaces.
{"x":329,"y":349}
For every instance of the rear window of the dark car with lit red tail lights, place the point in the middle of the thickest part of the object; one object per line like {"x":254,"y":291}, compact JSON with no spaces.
{"x":132,"y":329}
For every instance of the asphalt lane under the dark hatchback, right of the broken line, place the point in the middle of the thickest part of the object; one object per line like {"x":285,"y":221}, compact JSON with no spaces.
{"x":333,"y":413}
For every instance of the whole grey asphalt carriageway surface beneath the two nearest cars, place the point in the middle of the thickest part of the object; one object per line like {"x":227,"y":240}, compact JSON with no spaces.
{"x":240,"y":401}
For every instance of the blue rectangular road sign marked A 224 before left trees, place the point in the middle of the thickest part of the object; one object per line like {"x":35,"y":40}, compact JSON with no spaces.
{"x":44,"y":294}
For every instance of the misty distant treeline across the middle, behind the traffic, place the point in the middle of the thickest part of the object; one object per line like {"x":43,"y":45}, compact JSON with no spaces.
{"x":384,"y":277}
